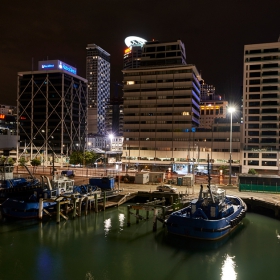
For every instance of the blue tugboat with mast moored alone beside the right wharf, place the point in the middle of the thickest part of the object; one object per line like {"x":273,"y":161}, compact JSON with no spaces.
{"x":211,"y":216}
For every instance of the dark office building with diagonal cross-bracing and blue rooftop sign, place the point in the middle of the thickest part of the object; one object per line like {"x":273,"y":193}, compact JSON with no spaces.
{"x":52,"y":111}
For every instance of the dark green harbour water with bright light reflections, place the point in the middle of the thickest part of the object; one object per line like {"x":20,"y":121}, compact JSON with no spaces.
{"x":101,"y":247}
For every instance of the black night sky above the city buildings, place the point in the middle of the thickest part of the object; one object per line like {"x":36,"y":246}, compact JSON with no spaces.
{"x":214,"y":33}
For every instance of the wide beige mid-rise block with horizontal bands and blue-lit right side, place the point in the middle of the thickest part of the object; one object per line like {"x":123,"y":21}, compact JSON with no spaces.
{"x":161,"y":102}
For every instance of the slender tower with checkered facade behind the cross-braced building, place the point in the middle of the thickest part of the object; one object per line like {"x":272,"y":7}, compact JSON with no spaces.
{"x":98,"y":76}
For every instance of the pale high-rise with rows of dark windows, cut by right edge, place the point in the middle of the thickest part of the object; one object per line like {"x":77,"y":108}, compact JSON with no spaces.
{"x":261,"y":108}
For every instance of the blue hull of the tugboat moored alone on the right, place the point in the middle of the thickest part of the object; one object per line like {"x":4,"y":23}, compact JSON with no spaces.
{"x":184,"y":224}
